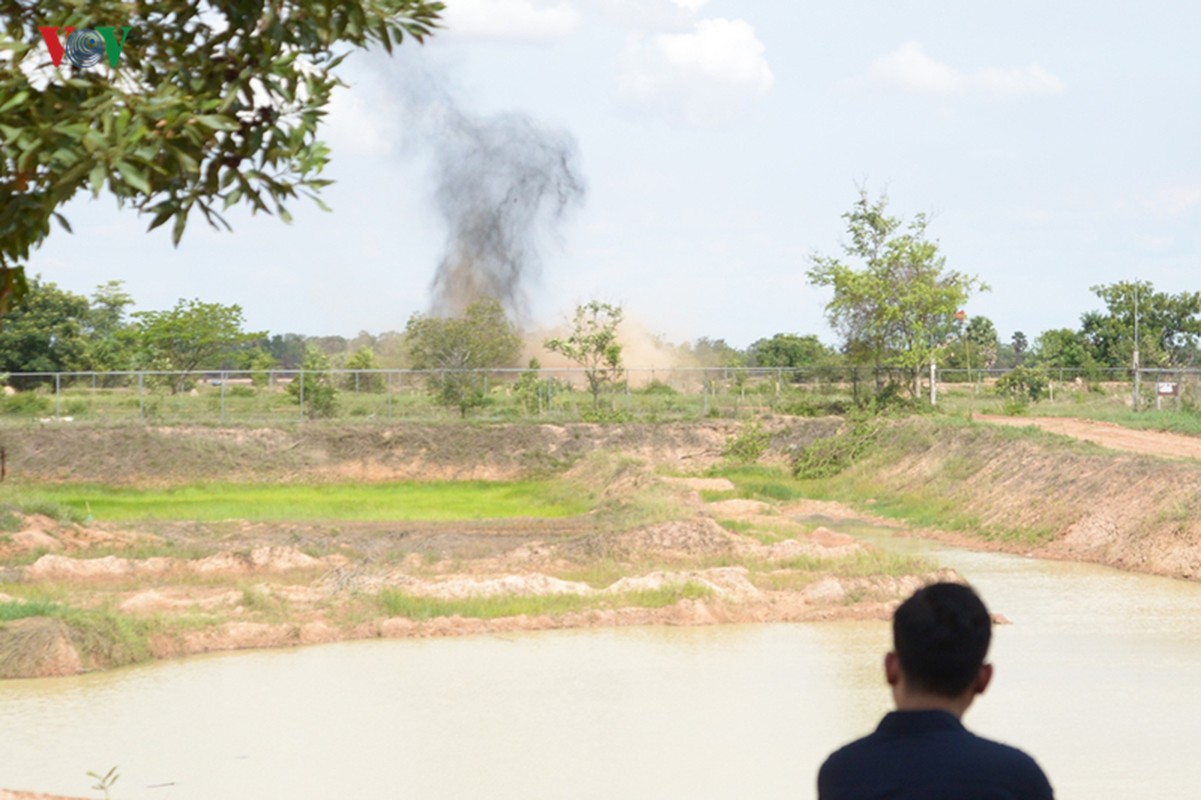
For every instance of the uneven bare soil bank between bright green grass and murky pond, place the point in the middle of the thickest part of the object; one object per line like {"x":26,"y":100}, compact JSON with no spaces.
{"x":238,"y":586}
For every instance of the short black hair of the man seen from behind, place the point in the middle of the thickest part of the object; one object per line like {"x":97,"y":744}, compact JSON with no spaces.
{"x":941,"y":637}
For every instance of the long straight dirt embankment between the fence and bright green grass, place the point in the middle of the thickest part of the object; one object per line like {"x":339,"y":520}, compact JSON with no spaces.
{"x":369,"y":451}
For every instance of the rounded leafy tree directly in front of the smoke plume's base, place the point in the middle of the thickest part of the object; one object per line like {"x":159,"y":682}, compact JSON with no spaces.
{"x":456,"y":348}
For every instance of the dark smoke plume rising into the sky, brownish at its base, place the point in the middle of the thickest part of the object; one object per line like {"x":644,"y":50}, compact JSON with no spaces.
{"x":504,"y":184}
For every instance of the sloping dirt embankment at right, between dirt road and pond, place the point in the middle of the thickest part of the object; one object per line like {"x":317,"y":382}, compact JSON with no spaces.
{"x":1050,"y":497}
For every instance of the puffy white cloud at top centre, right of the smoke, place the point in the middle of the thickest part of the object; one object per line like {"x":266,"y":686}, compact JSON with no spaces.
{"x":708,"y":76}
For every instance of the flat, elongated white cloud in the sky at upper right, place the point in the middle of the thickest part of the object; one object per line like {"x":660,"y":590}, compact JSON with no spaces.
{"x":912,"y":71}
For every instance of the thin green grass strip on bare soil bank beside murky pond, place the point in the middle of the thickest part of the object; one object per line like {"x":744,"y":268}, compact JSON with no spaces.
{"x":398,"y":604}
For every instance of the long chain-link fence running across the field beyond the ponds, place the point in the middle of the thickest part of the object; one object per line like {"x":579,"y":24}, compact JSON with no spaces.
{"x":641,"y":393}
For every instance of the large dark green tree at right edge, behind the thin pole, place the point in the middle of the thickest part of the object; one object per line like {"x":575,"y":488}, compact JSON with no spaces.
{"x":1169,"y":326}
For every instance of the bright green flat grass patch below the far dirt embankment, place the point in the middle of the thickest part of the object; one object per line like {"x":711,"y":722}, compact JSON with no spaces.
{"x":296,"y":503}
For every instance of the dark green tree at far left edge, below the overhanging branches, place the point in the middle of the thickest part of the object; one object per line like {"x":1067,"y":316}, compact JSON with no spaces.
{"x":45,"y":333}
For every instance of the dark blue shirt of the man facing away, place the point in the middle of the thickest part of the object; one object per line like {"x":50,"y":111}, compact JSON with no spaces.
{"x":930,"y":756}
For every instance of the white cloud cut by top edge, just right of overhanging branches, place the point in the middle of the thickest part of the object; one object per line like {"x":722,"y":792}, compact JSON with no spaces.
{"x":523,"y":21}
